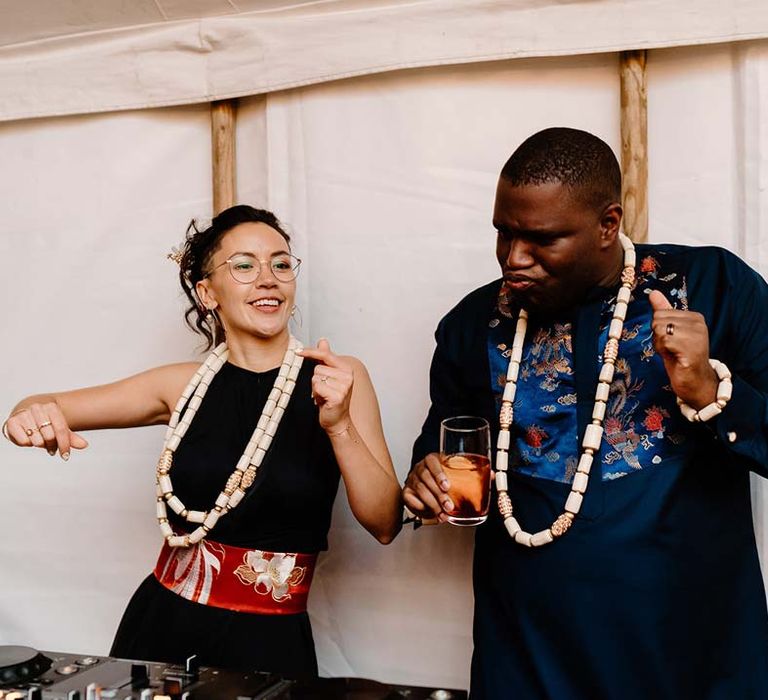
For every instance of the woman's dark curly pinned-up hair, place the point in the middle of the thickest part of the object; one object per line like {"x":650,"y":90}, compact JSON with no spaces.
{"x":199,"y":247}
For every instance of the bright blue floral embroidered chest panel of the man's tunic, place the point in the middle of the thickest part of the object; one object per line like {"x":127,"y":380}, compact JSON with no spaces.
{"x":643,"y":425}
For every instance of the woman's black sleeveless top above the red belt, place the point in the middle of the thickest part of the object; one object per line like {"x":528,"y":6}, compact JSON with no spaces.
{"x":288,"y":508}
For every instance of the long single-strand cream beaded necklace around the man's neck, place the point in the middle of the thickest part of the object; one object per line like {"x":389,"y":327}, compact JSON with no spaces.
{"x":594,"y":433}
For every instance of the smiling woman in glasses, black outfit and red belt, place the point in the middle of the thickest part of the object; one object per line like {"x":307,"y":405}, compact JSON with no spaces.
{"x":258,"y":437}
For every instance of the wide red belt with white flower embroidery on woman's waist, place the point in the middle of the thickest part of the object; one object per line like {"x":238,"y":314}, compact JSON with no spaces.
{"x":245,"y":580}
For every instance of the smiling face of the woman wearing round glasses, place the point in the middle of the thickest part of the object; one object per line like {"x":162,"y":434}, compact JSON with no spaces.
{"x":259,"y":308}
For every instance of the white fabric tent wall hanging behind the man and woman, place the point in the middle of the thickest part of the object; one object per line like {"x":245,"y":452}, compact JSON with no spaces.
{"x":387,"y":182}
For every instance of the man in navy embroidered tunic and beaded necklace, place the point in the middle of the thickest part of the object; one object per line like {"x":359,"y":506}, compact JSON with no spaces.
{"x":652,"y":589}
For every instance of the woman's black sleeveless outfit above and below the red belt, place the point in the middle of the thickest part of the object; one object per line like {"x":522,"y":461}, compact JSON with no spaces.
{"x":287,"y":509}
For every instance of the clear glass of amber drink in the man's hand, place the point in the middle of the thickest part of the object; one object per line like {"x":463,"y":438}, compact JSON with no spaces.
{"x":466,"y":460}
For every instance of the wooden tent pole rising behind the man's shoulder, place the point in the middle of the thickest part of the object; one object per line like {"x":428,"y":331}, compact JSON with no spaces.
{"x":634,"y":143}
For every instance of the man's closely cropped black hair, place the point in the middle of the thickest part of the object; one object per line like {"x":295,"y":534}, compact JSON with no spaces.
{"x":579,"y":160}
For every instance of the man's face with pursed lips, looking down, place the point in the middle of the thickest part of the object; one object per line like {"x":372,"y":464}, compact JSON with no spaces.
{"x":550,"y":245}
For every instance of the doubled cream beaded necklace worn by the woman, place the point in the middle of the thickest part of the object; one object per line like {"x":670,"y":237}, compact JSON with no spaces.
{"x":244,"y":474}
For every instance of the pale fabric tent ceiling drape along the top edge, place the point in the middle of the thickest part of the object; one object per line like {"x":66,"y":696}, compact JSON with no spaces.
{"x":73,"y":57}
